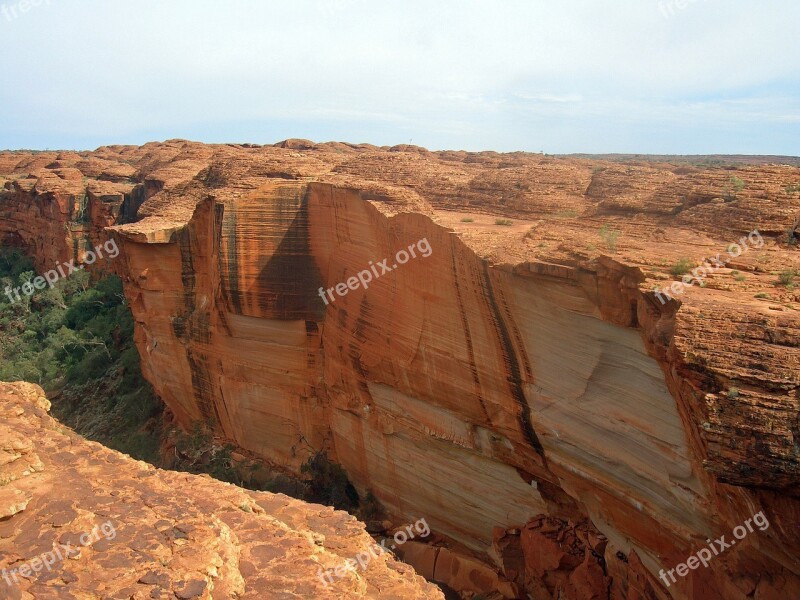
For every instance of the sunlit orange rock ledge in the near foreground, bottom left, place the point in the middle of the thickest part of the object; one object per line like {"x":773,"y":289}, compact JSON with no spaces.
{"x":80,"y":521}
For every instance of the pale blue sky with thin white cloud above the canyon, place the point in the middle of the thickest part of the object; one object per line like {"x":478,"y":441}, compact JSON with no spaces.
{"x":554,"y":76}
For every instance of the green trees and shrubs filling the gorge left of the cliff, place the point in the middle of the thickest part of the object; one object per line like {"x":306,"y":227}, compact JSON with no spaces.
{"x":76,"y":341}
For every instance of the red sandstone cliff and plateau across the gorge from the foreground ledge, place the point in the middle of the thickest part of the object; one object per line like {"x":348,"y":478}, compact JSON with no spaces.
{"x":521,"y":377}
